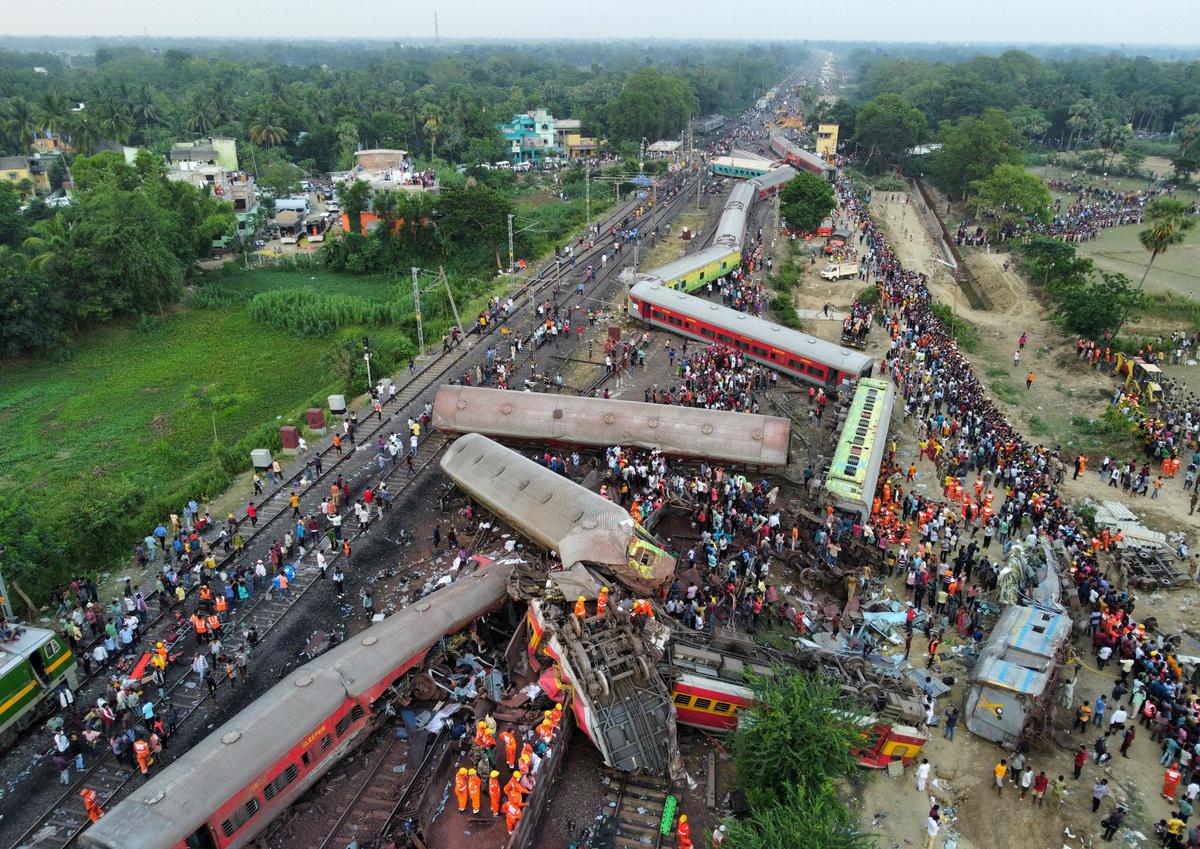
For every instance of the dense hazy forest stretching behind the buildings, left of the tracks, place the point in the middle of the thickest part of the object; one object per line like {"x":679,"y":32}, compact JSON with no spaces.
{"x":434,"y":103}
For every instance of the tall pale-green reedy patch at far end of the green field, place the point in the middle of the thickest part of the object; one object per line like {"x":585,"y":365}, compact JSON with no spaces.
{"x":310,"y":314}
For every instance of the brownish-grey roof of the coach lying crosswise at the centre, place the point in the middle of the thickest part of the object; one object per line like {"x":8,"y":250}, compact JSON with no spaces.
{"x":742,"y":438}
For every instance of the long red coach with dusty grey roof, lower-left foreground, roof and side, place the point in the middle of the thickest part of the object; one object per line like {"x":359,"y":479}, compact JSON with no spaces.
{"x":227,"y":788}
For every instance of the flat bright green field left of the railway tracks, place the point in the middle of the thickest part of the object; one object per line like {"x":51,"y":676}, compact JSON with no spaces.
{"x":122,"y":432}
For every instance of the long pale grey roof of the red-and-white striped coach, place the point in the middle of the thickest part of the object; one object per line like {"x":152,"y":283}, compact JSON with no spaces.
{"x":794,"y":341}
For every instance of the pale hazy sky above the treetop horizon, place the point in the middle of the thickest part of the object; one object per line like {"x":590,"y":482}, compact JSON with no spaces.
{"x":1159,"y":22}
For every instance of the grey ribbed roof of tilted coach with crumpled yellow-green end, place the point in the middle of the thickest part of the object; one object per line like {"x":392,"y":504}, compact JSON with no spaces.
{"x":551,"y":510}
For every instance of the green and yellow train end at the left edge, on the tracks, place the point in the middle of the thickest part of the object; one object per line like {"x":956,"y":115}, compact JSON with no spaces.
{"x":33,"y":665}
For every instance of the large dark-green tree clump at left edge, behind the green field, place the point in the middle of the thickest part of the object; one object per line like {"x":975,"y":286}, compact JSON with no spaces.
{"x":124,"y":248}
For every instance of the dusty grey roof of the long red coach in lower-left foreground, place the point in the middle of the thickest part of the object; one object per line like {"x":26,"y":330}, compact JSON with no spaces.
{"x":177,"y":802}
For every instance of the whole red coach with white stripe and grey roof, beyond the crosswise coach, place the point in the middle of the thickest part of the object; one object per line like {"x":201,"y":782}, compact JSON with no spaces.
{"x":790,"y":352}
